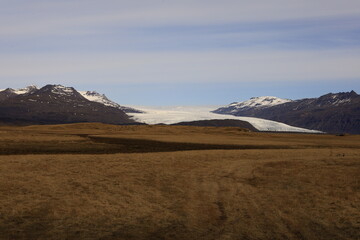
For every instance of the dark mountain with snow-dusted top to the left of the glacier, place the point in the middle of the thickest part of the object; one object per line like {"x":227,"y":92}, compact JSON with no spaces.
{"x":55,"y":104}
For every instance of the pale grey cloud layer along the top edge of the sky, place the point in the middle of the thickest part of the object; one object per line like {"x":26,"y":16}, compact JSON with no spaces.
{"x":68,"y":17}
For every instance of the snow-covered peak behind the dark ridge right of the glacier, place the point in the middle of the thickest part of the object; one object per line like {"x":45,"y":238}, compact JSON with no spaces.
{"x":252,"y":103}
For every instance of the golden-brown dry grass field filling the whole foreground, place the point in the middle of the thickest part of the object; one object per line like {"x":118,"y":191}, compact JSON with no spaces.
{"x":95,"y":181}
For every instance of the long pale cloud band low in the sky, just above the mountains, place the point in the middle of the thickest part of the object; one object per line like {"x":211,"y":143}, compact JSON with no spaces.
{"x":188,"y":67}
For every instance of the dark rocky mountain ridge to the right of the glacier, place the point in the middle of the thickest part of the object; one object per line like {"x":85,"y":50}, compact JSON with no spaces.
{"x":333,"y":112}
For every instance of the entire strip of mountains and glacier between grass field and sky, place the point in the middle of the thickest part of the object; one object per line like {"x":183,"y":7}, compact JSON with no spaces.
{"x":57,"y":104}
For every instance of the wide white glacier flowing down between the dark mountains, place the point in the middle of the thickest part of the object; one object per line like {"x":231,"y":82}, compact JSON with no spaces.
{"x":171,"y":115}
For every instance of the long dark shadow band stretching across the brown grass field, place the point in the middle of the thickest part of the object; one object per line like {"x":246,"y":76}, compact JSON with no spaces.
{"x":109,"y":145}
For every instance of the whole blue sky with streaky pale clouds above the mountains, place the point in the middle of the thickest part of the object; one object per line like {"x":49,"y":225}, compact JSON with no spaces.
{"x":182,"y":52}
